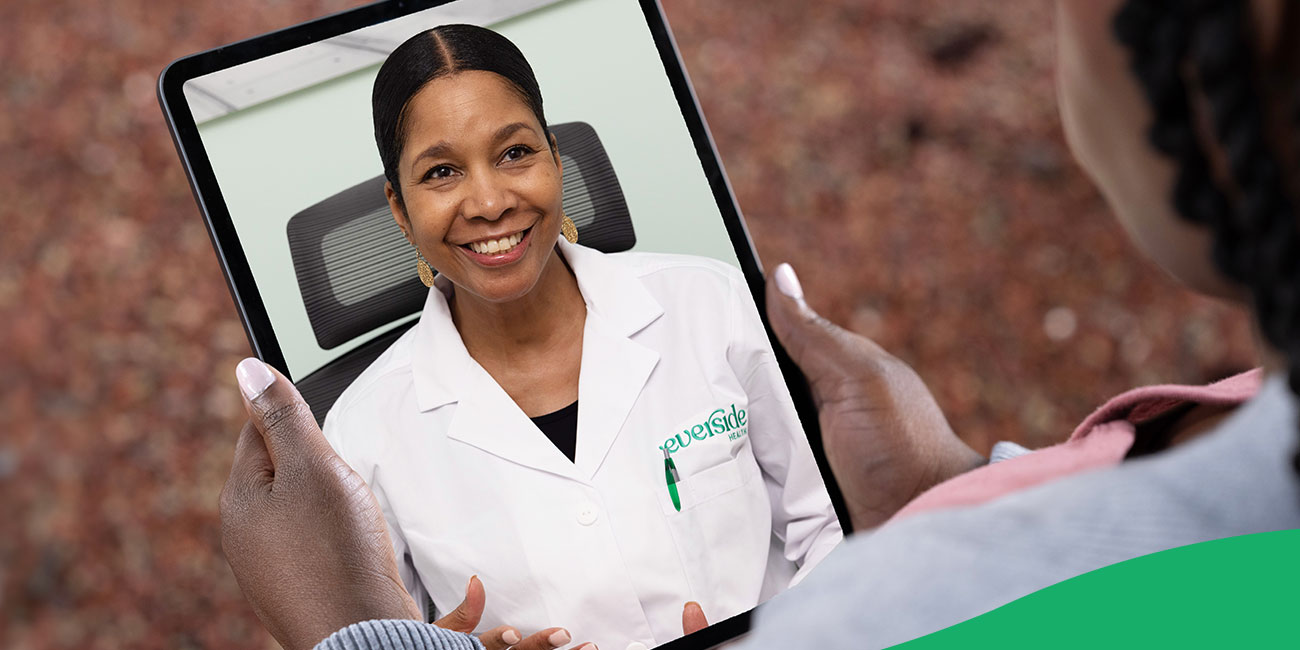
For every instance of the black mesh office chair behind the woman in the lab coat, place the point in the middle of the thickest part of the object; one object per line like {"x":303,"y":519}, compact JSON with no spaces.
{"x":357,"y":272}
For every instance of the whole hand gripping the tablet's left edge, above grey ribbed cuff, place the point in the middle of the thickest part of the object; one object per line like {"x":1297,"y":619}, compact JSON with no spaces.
{"x":301,"y":530}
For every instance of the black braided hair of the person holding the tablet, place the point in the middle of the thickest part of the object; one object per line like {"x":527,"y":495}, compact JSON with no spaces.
{"x":1251,"y":216}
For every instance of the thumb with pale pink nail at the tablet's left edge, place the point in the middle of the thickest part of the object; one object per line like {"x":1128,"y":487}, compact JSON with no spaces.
{"x":279,"y":413}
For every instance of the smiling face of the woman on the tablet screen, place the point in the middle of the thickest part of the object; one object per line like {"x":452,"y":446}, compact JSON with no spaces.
{"x":480,"y":184}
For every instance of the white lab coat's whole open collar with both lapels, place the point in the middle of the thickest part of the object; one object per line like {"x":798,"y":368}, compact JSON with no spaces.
{"x":614,"y":370}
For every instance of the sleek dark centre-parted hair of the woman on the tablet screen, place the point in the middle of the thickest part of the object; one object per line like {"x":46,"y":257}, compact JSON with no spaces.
{"x":440,"y":53}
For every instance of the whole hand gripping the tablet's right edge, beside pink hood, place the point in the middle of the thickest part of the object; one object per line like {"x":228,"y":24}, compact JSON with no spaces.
{"x":886,"y":439}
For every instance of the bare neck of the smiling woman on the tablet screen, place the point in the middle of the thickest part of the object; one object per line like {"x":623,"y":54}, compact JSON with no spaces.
{"x":553,"y":311}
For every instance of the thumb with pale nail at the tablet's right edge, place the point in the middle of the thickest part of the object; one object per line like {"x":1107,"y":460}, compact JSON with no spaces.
{"x":817,"y":345}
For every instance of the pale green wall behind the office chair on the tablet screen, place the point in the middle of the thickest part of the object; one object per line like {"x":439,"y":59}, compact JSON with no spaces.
{"x":596,"y":63}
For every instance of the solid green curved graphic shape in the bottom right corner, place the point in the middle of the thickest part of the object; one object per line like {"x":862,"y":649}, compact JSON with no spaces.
{"x":1240,"y":592}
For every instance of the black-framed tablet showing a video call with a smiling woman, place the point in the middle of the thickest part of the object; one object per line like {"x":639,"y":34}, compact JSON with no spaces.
{"x":361,"y":232}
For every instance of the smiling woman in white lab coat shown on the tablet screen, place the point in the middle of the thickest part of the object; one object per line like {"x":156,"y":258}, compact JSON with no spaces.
{"x":600,"y":439}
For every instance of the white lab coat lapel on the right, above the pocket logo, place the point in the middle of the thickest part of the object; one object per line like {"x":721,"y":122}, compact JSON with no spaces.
{"x":616,"y":367}
